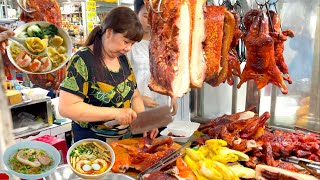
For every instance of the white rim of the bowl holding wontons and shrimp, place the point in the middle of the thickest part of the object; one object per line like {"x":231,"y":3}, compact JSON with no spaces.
{"x":66,"y":41}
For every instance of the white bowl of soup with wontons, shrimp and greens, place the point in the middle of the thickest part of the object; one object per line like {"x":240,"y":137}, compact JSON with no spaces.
{"x":40,"y":36}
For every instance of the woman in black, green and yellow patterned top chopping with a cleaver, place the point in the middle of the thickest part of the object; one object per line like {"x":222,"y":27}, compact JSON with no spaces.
{"x":100,"y":84}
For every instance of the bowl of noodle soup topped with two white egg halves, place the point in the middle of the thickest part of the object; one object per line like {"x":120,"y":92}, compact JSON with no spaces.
{"x":90,"y":158}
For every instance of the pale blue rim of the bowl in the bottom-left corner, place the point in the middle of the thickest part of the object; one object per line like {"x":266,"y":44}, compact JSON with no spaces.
{"x":52,"y":151}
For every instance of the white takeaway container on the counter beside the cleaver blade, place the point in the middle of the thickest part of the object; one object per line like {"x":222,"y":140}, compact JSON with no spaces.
{"x":183,"y":128}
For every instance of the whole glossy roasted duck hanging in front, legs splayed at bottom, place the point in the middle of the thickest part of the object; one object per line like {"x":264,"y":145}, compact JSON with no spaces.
{"x":261,"y":65}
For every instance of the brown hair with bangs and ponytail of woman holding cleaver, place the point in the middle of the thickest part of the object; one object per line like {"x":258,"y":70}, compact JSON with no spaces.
{"x":121,"y":20}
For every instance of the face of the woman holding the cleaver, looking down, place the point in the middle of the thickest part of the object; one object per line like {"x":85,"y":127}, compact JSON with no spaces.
{"x":115,"y":44}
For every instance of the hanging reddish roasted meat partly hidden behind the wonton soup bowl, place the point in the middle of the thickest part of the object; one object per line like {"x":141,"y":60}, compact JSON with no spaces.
{"x":44,"y":10}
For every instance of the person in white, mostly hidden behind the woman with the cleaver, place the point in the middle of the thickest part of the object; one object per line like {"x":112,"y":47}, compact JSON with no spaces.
{"x":139,"y":57}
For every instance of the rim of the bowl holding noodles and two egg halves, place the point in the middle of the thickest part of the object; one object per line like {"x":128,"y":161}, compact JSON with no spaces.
{"x":88,"y":176}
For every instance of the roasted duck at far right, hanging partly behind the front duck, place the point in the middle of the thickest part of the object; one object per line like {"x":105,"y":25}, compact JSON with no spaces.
{"x":279,"y":38}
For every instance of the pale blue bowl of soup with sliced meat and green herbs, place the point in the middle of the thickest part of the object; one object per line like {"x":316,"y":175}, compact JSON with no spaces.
{"x":31,"y":159}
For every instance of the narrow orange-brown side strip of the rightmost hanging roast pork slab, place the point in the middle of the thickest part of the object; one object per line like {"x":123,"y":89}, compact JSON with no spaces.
{"x":228,"y":28}
